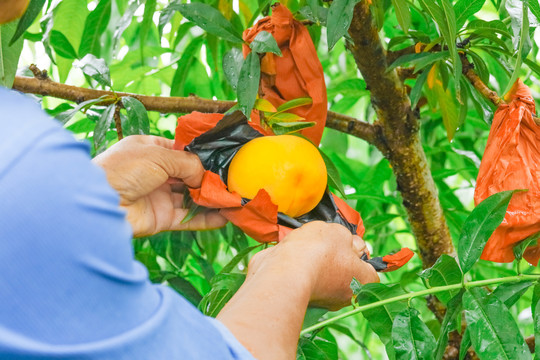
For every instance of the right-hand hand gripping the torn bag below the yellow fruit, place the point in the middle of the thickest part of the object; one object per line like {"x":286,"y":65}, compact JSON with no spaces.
{"x":326,"y":255}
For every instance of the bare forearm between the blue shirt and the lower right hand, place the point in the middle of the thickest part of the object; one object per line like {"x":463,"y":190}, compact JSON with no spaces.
{"x":267,"y":312}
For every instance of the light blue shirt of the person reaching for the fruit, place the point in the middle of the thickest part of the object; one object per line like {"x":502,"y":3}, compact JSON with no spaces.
{"x":69,"y":285}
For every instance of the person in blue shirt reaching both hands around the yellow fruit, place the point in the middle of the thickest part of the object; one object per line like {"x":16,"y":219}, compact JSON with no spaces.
{"x":70,"y":287}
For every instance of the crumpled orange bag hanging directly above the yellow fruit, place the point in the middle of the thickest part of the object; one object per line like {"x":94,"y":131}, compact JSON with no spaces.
{"x":297,"y":73}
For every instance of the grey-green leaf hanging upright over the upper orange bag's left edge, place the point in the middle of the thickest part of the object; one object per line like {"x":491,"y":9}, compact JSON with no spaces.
{"x":248,"y":83}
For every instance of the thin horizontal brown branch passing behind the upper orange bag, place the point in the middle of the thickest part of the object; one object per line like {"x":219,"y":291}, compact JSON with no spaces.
{"x":46,"y":87}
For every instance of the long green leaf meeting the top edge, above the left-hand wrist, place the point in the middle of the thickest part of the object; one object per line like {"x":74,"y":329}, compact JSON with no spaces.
{"x":94,"y":28}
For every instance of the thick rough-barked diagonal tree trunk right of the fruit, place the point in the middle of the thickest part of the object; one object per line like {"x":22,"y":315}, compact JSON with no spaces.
{"x":400,"y":138}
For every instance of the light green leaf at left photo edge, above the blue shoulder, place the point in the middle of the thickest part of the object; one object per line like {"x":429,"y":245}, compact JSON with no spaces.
{"x":9,"y":54}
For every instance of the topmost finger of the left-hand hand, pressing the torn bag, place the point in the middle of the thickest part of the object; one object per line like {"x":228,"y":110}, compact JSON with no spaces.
{"x":181,"y":165}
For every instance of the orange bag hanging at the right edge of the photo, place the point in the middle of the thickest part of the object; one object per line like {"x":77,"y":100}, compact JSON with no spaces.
{"x":512,"y":161}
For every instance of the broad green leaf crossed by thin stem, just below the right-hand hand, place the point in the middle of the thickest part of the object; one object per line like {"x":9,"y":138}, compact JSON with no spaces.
{"x":381,"y":318}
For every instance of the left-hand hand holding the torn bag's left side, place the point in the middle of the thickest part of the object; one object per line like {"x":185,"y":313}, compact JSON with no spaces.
{"x":150,"y":177}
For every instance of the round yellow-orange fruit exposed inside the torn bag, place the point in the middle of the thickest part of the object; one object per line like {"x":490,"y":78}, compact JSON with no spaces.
{"x":288,"y":167}
